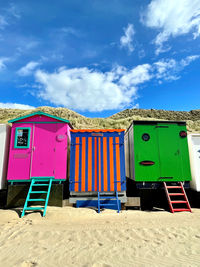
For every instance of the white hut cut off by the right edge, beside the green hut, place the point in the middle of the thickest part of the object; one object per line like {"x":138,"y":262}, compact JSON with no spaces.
{"x":194,"y":149}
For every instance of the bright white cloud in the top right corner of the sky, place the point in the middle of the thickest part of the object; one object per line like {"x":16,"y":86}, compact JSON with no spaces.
{"x":172,"y":18}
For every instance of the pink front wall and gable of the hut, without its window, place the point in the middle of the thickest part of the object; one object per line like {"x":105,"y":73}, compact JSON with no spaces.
{"x":47,"y":154}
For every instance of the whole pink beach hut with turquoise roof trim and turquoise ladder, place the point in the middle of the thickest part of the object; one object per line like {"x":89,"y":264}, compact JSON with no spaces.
{"x":38,"y":154}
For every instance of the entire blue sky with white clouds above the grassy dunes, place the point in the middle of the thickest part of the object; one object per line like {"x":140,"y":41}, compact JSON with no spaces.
{"x":98,"y":57}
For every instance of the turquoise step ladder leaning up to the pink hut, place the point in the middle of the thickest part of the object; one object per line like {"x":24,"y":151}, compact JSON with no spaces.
{"x":35,"y":183}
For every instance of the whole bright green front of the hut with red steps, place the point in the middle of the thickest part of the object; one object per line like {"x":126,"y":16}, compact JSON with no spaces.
{"x":160,"y":153}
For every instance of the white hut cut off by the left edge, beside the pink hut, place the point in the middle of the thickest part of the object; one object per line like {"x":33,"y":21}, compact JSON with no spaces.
{"x":4,"y":147}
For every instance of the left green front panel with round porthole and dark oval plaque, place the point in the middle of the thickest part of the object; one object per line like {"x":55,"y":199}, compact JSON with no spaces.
{"x":146,"y":153}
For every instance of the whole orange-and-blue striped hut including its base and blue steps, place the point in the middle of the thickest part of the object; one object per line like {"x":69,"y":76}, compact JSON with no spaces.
{"x":97,"y":168}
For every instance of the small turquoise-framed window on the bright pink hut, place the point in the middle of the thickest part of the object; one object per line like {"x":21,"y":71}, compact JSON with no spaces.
{"x":22,"y":137}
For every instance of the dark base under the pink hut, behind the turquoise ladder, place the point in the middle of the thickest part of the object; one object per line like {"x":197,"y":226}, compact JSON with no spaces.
{"x":17,"y":194}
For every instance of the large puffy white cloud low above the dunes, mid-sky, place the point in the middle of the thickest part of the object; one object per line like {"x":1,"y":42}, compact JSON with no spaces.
{"x":86,"y":89}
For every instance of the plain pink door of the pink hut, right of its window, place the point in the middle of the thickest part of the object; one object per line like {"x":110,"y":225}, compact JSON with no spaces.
{"x":43,"y":154}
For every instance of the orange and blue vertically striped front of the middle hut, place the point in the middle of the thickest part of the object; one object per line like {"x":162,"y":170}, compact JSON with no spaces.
{"x":97,"y":161}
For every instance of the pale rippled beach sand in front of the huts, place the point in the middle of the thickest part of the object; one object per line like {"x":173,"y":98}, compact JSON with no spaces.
{"x":81,"y":237}
